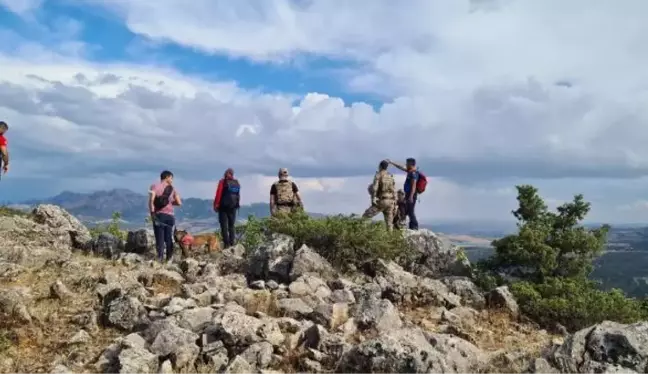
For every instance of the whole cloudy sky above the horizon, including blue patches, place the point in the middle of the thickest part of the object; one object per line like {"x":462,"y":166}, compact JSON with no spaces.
{"x":485,"y":94}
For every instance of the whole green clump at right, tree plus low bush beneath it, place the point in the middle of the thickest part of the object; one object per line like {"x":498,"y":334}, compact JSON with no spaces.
{"x":556,"y":253}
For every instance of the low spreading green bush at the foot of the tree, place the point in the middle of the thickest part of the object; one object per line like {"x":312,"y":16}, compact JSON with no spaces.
{"x":575,"y":303}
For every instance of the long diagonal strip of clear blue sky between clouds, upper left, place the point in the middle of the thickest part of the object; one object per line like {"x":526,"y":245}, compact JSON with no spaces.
{"x":109,"y":40}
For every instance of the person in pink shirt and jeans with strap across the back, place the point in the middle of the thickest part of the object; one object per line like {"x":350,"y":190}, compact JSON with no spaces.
{"x":162,"y":198}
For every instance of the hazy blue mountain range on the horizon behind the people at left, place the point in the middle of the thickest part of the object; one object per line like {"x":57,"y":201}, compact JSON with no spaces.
{"x":98,"y":206}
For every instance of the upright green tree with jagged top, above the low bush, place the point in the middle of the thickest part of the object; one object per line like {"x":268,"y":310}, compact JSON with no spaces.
{"x":550,"y":244}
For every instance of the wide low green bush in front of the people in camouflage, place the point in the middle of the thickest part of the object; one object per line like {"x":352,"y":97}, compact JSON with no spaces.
{"x":342,"y":240}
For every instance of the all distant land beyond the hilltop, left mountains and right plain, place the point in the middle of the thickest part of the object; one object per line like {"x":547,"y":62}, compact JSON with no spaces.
{"x":624,"y":265}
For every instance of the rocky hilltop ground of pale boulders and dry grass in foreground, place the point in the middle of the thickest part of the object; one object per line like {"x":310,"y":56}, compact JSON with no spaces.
{"x":71,"y":303}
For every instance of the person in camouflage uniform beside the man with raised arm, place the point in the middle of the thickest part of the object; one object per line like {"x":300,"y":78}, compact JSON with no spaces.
{"x":382,"y":195}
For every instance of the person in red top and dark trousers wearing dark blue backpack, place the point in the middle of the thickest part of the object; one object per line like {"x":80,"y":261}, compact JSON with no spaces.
{"x":226,"y":204}
